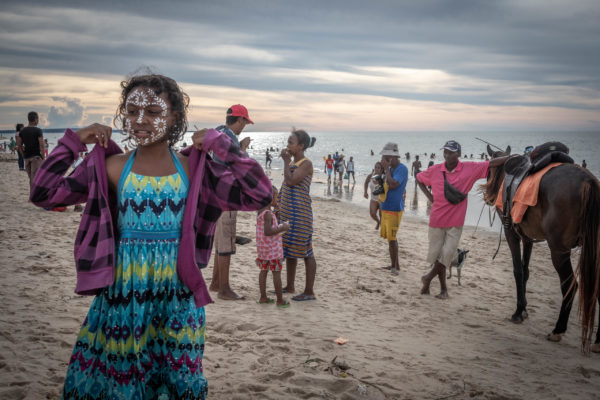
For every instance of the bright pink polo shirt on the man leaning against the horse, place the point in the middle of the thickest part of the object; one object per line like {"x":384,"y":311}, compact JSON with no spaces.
{"x":443,"y":213}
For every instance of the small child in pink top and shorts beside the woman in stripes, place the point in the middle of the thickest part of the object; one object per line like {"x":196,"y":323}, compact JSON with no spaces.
{"x":270,"y":251}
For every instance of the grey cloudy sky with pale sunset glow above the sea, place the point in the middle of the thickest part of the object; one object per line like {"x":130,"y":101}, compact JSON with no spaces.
{"x":377,"y":65}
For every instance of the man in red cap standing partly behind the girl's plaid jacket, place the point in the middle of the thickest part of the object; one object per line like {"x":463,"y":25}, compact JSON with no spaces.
{"x":225,"y":232}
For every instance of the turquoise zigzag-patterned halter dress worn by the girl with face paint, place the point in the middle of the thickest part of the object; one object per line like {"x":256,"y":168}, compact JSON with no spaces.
{"x":143,"y":337}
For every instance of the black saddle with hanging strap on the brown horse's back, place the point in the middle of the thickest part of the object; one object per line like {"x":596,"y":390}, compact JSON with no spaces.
{"x":519,"y":167}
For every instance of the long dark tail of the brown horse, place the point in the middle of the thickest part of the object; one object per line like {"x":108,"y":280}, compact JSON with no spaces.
{"x":589,"y":259}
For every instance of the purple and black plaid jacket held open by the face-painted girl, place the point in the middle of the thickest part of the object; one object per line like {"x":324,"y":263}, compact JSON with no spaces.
{"x":239,"y":185}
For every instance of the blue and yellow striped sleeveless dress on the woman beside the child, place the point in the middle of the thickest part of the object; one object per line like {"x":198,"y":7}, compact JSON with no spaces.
{"x":295,"y":208}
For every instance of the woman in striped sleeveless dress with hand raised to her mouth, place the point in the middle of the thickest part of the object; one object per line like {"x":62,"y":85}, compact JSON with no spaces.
{"x":295,"y":208}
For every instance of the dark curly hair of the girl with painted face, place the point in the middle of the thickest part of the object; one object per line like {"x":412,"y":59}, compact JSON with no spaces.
{"x":159,"y":84}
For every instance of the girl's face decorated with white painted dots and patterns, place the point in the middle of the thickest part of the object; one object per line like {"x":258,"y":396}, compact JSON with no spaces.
{"x":144,"y":102}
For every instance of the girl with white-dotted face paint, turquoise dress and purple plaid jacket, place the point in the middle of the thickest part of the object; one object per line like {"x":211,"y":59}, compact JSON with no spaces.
{"x":146,"y":231}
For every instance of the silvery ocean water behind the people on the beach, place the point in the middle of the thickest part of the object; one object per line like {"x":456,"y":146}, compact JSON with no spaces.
{"x":582,"y":145}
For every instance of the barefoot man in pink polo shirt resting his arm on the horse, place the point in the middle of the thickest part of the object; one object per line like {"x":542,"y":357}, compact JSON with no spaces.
{"x":452,"y":180}
